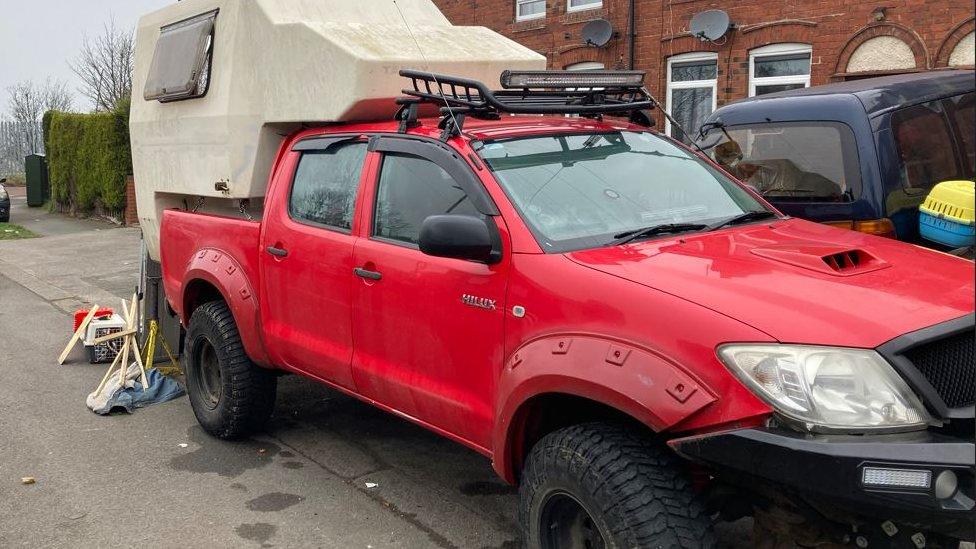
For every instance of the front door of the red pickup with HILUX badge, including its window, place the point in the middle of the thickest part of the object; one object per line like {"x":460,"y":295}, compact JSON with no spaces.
{"x":420,"y":348}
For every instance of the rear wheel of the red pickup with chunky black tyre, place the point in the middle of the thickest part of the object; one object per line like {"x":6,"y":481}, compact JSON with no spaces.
{"x":230,"y":395}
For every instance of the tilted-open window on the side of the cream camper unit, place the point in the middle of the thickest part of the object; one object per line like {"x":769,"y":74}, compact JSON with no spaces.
{"x":180,"y":67}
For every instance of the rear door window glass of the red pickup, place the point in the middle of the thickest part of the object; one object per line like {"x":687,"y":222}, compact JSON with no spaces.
{"x":324,"y":191}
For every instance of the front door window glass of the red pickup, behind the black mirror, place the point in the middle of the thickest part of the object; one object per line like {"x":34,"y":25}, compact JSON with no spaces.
{"x":410,"y":190}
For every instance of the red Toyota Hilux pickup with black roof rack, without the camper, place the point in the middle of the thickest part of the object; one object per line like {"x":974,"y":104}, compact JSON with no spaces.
{"x":635,"y":338}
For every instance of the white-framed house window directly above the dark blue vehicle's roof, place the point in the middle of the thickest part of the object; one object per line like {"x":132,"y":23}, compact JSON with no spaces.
{"x":779,"y":67}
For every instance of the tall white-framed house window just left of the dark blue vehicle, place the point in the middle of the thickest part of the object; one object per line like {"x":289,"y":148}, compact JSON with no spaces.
{"x":691,"y":92}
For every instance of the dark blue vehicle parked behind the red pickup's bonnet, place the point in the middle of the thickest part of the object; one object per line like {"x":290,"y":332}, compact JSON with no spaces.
{"x":861,"y":154}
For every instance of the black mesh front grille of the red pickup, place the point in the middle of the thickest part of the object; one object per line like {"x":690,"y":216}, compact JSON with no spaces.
{"x":949,"y":364}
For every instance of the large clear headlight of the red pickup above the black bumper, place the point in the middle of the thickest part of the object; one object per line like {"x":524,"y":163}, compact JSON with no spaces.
{"x":827,"y":388}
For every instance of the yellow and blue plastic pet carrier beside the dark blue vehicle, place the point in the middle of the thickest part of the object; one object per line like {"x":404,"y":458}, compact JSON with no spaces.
{"x":947,"y":215}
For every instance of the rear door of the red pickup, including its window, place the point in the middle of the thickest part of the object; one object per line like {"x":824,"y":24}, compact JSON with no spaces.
{"x":307,"y":258}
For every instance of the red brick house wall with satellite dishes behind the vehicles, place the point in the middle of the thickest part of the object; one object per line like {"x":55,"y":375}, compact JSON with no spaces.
{"x":834,"y":29}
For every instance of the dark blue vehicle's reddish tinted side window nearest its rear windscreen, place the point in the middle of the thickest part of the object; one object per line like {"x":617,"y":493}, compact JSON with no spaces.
{"x":924,"y":145}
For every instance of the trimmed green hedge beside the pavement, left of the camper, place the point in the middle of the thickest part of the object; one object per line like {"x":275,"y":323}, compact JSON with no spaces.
{"x":88,"y":159}
